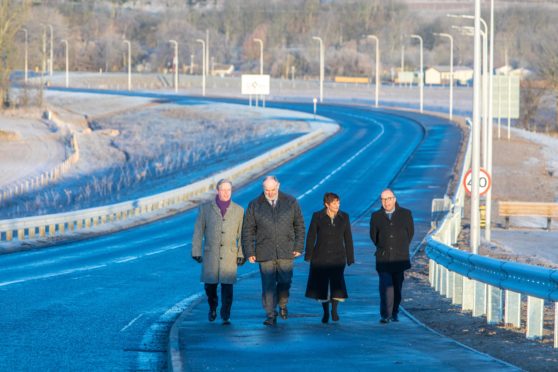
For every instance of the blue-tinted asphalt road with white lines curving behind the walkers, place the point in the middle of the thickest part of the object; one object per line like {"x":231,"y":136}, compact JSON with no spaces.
{"x":107,"y":303}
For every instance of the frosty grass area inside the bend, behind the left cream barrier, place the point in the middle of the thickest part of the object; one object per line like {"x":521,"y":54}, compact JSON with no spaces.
{"x":156,"y":149}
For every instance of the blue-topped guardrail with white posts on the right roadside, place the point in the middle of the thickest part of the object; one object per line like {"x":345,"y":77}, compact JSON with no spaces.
{"x":486,"y":286}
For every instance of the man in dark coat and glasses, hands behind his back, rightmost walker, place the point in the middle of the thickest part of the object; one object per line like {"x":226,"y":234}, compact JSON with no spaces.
{"x":391,"y":231}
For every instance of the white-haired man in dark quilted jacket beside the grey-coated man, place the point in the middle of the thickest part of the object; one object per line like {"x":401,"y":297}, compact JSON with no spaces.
{"x":273,"y":235}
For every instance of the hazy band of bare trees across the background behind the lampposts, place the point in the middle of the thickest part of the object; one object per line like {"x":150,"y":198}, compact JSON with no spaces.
{"x":95,"y":31}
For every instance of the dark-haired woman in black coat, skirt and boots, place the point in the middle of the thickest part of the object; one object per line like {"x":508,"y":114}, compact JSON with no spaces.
{"x":329,"y":247}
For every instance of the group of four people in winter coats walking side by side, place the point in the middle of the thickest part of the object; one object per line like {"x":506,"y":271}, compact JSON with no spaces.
{"x":271,"y":232}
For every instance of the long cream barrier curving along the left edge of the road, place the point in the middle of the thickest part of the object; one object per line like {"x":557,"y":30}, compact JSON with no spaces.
{"x":61,"y":223}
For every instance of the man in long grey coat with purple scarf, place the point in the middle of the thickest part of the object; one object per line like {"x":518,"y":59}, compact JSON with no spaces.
{"x":218,"y":228}
